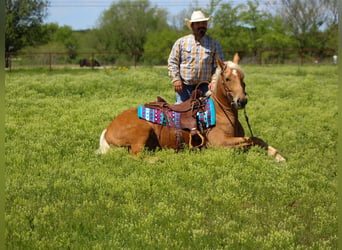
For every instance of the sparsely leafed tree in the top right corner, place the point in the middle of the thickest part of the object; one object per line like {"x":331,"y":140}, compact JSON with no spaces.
{"x":310,"y":23}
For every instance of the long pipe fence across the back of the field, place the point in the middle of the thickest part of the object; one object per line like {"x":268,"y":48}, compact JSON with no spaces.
{"x":93,"y":60}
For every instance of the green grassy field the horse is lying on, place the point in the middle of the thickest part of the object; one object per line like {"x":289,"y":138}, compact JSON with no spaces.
{"x":61,"y":195}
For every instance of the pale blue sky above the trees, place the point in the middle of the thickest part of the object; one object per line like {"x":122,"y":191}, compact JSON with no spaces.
{"x":83,"y":14}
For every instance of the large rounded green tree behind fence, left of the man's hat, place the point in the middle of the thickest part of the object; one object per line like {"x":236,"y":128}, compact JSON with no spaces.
{"x":124,"y":27}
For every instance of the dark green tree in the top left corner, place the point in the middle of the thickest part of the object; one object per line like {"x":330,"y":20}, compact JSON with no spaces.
{"x":23,"y":23}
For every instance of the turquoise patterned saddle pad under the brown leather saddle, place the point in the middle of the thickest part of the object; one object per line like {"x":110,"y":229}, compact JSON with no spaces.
{"x":207,"y":118}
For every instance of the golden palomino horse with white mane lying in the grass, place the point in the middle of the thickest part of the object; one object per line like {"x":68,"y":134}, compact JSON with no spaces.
{"x":228,"y":95}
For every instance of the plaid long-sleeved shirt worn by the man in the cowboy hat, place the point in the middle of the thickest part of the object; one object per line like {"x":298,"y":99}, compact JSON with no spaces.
{"x":194,"y":61}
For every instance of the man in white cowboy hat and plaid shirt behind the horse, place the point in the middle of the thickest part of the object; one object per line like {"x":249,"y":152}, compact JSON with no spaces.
{"x":193,"y":59}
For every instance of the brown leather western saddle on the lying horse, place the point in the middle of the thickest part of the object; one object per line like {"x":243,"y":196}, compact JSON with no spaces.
{"x":188,"y":117}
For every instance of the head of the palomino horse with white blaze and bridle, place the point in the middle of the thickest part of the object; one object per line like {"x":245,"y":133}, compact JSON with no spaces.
{"x":230,"y":82}
